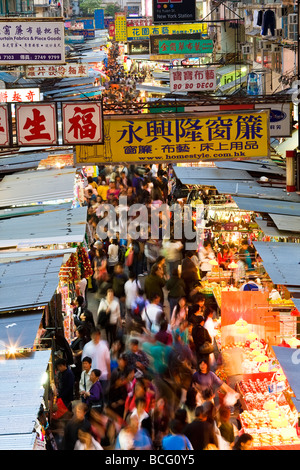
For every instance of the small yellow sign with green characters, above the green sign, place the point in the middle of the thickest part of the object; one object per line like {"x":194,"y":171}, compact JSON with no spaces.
{"x":144,"y":32}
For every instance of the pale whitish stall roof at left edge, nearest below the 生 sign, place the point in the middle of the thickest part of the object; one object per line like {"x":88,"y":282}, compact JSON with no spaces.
{"x":37,"y":187}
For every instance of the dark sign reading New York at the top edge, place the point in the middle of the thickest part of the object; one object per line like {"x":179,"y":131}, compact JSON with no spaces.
{"x":174,"y":11}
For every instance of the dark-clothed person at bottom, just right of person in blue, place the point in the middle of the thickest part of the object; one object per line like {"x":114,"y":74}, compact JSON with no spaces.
{"x":200,"y":432}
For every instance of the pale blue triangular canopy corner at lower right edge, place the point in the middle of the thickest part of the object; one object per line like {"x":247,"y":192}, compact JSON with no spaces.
{"x":289,"y":360}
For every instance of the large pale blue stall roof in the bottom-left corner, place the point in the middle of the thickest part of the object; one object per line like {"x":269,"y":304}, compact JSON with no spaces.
{"x":21,"y":395}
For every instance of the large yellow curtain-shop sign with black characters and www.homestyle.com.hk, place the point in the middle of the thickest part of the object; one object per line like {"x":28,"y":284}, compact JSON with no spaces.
{"x":183,"y":138}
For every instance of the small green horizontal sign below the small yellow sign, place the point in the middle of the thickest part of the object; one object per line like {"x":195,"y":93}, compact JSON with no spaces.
{"x":192,"y":46}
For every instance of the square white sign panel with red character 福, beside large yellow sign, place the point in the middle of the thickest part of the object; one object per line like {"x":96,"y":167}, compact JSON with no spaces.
{"x":82,"y":123}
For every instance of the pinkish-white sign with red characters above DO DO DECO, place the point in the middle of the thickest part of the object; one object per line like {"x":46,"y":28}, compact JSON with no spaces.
{"x":192,"y":79}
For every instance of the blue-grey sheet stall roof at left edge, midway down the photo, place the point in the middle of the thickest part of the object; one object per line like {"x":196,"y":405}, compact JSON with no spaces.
{"x":28,"y":283}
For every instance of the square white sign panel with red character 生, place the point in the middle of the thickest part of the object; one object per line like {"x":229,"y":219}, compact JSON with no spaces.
{"x":36,"y":124}
